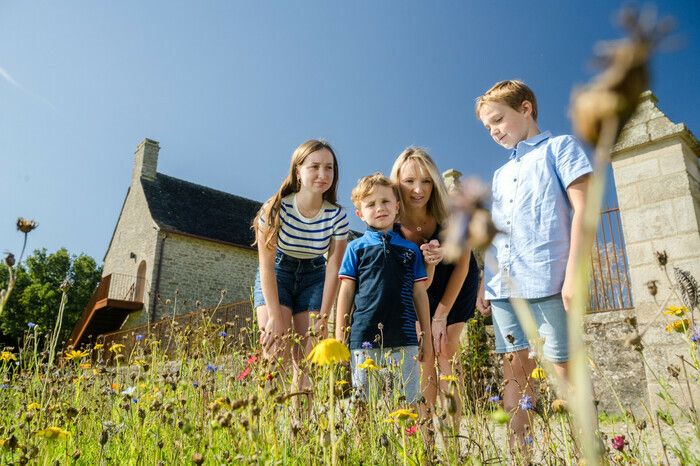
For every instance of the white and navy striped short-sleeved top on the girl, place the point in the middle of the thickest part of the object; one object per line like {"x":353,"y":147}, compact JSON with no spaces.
{"x":306,"y":238}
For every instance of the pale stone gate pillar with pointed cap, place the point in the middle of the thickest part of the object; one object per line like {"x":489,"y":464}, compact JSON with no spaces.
{"x":655,"y":164}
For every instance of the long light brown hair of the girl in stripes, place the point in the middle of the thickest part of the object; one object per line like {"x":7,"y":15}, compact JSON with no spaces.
{"x":270,"y":210}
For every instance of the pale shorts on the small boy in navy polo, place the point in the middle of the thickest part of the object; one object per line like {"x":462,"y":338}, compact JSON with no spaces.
{"x":398,"y":364}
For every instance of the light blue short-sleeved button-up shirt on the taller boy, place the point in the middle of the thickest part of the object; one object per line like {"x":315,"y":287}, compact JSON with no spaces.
{"x":532,"y":210}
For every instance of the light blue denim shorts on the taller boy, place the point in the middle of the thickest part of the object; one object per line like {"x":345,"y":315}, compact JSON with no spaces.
{"x":551,"y":320}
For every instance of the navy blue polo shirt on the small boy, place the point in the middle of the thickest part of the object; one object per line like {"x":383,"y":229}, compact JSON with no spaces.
{"x":384,"y":266}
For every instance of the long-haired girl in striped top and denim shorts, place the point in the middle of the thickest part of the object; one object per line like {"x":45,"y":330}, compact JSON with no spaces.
{"x":293,"y":230}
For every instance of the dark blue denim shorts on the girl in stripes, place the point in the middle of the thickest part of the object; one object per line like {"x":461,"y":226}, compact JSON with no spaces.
{"x":299,"y":283}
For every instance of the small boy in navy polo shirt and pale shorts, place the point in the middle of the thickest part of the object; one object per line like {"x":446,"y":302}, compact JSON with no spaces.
{"x":384,"y":276}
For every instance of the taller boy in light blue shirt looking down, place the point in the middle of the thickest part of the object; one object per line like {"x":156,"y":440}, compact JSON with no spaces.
{"x":534,"y":195}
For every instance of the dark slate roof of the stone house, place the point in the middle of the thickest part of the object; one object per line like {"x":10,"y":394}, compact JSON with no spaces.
{"x":182,"y":207}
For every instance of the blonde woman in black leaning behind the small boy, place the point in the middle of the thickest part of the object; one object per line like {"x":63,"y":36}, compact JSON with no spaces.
{"x":453,"y":289}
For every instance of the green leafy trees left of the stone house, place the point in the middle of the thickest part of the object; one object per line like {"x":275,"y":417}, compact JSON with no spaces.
{"x":36,"y":297}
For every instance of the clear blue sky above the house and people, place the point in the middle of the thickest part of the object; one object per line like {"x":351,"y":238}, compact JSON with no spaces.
{"x":229,"y":89}
